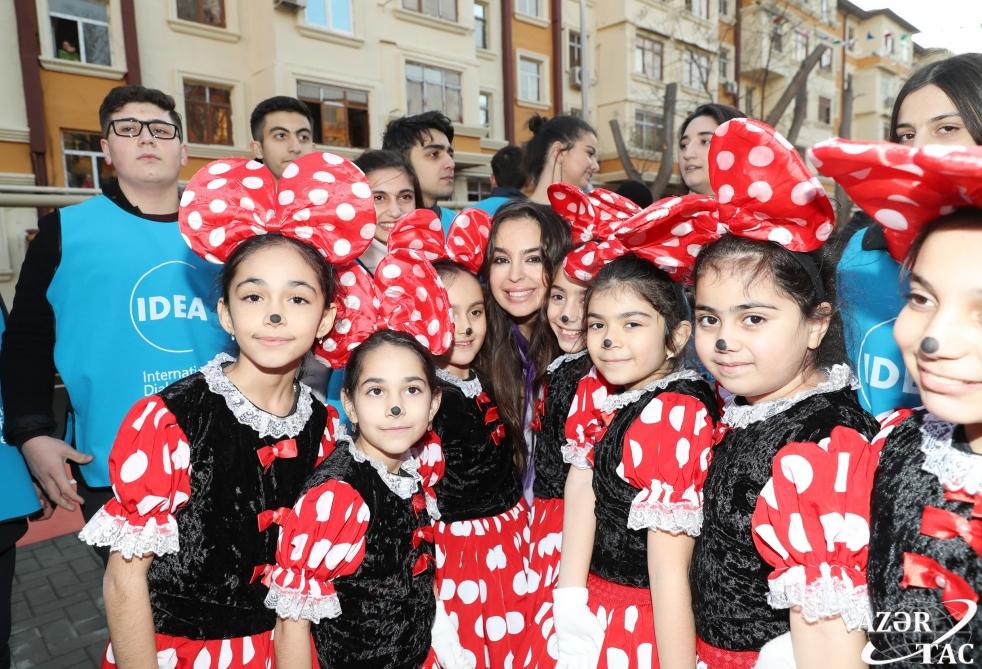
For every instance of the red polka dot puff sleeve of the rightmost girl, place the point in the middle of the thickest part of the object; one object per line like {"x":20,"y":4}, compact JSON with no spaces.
{"x":811,"y":524}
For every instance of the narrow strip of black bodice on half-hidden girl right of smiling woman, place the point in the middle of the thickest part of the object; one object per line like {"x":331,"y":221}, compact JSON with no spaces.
{"x":550,"y":470}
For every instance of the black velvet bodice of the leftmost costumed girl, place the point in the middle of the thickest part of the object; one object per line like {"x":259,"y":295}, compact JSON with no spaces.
{"x":203,"y":591}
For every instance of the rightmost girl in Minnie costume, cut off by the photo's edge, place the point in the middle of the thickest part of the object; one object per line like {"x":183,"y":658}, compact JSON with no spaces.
{"x":913,"y":549}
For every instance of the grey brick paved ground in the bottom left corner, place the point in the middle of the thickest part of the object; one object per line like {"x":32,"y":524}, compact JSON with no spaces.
{"x":57,"y":610}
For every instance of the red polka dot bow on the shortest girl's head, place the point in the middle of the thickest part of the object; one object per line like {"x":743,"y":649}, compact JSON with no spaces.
{"x":405,"y":295}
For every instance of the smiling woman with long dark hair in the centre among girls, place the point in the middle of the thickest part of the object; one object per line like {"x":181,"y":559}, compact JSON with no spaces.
{"x":528,"y":242}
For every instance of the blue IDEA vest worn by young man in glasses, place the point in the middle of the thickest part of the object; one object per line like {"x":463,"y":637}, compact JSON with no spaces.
{"x":133,"y":314}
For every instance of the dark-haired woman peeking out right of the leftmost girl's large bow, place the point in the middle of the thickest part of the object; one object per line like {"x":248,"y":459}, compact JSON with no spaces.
{"x":395,"y":191}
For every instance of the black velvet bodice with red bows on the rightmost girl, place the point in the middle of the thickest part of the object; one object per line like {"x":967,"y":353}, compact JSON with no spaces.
{"x":928,"y":479}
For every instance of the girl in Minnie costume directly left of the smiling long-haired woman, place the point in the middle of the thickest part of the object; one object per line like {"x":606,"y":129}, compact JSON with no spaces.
{"x":480,"y":549}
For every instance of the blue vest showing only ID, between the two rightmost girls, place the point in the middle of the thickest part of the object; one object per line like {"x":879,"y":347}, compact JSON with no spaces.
{"x":869,"y":296}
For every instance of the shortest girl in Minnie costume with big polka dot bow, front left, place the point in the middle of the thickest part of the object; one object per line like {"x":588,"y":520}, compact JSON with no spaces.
{"x":355,"y":553}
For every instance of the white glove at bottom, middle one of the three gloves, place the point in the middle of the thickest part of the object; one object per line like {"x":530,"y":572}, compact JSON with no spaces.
{"x":579,"y":636}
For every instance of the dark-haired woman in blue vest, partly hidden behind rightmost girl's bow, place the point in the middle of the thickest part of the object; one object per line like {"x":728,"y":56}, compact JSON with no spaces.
{"x":941,"y":103}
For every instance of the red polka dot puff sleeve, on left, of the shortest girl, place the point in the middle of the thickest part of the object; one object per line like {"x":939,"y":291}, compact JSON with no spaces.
{"x":321,"y":538}
